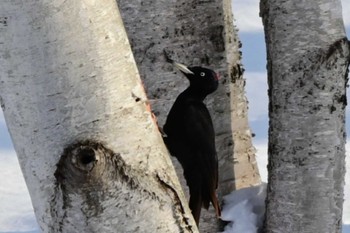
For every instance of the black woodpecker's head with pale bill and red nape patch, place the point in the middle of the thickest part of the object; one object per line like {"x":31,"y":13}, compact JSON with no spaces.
{"x":202,"y":79}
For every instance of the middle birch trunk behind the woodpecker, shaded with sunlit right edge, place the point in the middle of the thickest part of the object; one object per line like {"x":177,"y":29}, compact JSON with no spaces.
{"x":196,"y":33}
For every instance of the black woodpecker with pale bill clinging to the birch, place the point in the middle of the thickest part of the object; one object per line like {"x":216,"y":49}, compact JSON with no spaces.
{"x":190,"y":137}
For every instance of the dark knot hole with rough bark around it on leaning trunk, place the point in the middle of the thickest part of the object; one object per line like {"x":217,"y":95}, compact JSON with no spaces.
{"x":86,"y":171}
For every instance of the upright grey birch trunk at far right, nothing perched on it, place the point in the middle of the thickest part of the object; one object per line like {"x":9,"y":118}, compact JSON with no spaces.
{"x":308,"y":56}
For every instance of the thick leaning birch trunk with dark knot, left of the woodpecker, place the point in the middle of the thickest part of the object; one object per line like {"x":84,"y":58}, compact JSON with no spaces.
{"x":91,"y":155}
